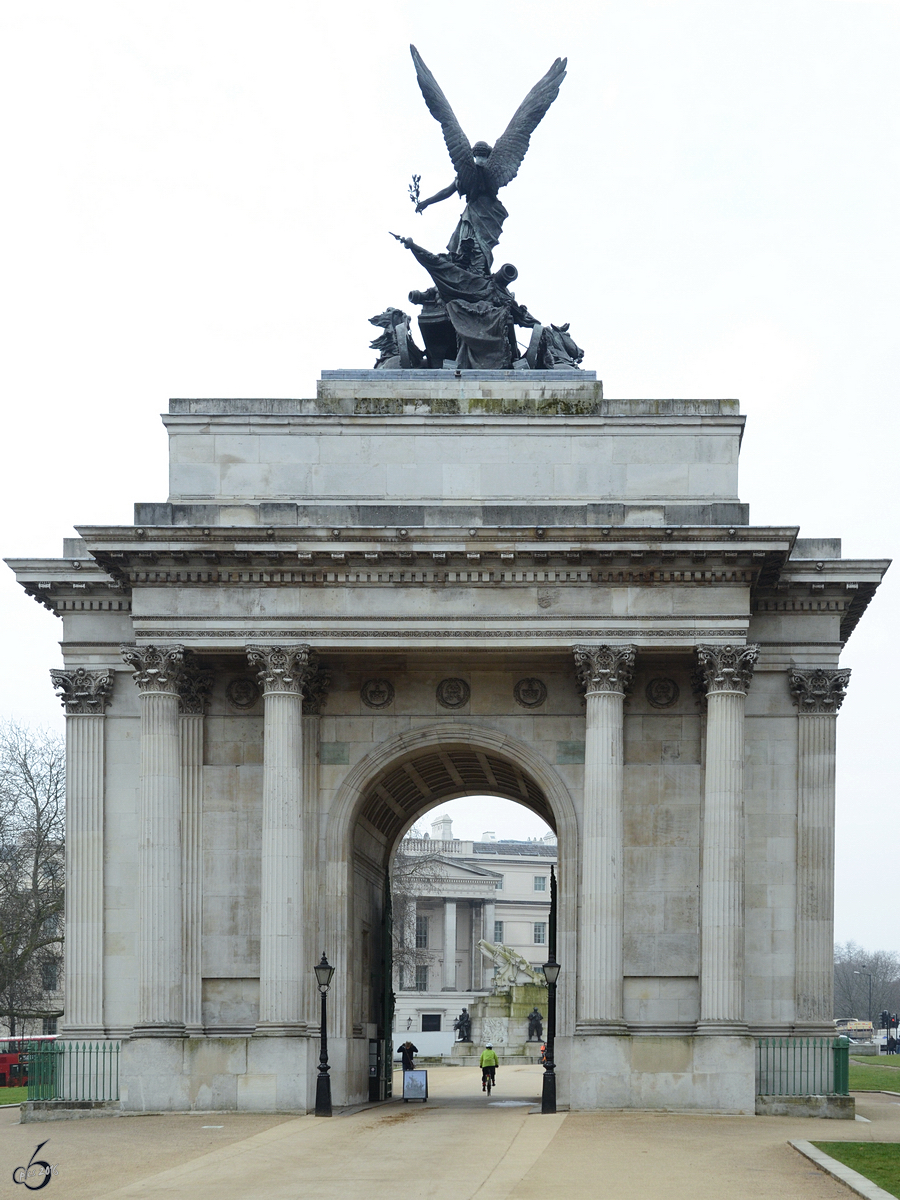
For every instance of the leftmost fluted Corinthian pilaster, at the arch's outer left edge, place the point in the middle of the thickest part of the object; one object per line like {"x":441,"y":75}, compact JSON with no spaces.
{"x":85,"y":695}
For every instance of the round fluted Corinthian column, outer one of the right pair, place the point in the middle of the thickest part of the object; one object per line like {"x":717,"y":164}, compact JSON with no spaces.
{"x":725,"y":673}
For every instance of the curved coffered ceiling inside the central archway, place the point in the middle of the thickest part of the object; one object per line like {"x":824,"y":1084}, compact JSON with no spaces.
{"x":422,"y":781}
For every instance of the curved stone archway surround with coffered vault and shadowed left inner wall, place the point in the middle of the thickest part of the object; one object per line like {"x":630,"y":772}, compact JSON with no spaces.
{"x":382,"y":797}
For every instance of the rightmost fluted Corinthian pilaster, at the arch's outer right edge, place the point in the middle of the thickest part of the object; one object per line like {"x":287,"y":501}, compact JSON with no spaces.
{"x":818,"y":694}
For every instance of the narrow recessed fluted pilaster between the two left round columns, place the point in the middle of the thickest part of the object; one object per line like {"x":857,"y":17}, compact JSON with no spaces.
{"x":195,"y":687}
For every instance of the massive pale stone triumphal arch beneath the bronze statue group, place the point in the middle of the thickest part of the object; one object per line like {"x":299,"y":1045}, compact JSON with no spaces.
{"x":425,"y":585}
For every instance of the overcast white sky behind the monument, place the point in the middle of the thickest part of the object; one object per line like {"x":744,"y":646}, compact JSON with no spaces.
{"x":197,"y":201}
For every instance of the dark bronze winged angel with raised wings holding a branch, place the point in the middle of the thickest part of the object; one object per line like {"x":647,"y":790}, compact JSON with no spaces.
{"x":482,"y":171}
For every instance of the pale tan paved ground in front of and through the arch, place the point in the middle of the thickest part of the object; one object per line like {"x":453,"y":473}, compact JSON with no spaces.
{"x":455,"y":1148}
